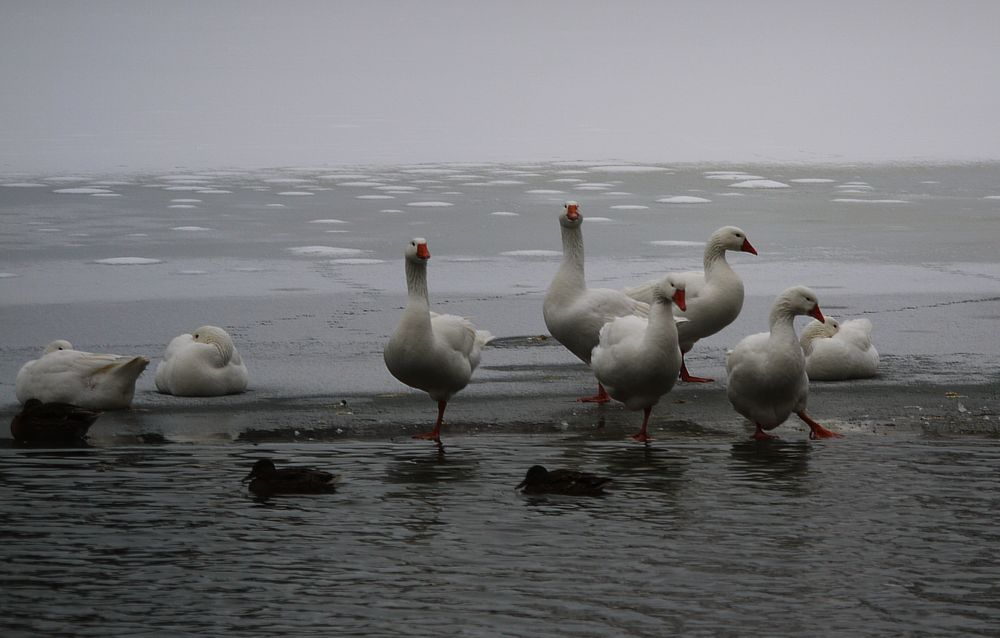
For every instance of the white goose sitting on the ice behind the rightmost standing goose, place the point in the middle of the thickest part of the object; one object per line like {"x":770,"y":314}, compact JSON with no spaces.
{"x":837,"y":351}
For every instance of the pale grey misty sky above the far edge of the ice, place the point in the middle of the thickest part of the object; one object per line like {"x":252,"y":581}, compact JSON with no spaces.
{"x":132,"y":85}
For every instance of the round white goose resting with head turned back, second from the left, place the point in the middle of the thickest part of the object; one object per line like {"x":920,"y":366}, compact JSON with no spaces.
{"x":204,"y":363}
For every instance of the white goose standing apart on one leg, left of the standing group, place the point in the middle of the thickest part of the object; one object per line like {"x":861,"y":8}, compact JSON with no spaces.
{"x":431,"y":352}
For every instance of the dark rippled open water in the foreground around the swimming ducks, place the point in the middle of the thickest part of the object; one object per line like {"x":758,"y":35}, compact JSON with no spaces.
{"x":698,"y":535}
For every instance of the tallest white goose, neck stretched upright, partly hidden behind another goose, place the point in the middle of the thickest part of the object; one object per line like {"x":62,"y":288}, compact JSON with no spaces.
{"x":574,"y":314}
